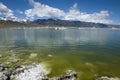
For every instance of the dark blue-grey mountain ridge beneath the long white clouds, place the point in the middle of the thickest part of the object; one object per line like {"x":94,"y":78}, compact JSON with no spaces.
{"x":67,"y":23}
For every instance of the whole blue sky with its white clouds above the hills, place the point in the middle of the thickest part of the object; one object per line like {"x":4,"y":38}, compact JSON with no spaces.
{"x":99,"y":11}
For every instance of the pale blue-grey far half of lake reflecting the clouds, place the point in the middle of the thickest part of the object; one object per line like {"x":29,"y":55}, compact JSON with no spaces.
{"x":51,"y":37}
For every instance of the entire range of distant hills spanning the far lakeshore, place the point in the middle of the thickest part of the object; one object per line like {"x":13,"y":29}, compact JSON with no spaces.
{"x":55,"y":23}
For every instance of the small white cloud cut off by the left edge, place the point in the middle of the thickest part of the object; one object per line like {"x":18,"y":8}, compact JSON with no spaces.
{"x":5,"y":11}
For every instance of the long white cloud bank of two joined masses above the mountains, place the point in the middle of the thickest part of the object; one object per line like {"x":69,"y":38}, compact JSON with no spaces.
{"x":42,"y":10}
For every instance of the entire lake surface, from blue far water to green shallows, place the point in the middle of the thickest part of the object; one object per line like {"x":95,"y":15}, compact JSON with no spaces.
{"x":90,"y":52}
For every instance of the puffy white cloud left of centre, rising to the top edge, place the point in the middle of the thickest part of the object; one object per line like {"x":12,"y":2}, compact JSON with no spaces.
{"x":42,"y":10}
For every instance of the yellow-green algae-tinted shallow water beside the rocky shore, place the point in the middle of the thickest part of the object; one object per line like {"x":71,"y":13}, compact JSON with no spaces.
{"x":83,"y":62}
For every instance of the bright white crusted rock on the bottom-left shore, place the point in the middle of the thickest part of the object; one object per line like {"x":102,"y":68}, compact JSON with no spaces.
{"x":30,"y":72}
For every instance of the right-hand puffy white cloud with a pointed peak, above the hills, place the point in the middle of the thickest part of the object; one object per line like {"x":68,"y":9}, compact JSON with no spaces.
{"x":75,"y":14}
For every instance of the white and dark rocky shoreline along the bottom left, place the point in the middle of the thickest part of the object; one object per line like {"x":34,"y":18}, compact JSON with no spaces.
{"x":31,"y":72}
